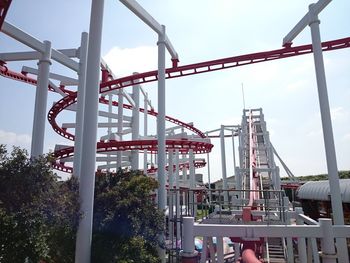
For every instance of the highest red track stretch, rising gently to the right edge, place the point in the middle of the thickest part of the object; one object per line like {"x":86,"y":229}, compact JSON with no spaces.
{"x":219,"y":64}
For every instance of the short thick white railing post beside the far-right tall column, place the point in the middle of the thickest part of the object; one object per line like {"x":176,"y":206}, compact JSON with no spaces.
{"x":327,"y":242}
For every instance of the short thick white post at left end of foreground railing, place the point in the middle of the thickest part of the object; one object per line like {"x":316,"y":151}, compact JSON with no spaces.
{"x":188,"y":254}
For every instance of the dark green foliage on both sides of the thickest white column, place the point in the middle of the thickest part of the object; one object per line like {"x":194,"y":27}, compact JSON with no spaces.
{"x":39,"y":214}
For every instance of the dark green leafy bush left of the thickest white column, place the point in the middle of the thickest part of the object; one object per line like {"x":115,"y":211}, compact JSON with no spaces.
{"x":38,"y":213}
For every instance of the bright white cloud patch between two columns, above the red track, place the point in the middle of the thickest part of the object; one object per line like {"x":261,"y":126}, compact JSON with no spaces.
{"x":125,"y":61}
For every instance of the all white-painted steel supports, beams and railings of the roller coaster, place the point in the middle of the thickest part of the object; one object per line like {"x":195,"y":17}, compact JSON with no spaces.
{"x":86,"y":125}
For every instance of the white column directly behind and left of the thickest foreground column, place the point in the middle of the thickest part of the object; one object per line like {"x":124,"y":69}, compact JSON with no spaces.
{"x":79,"y":117}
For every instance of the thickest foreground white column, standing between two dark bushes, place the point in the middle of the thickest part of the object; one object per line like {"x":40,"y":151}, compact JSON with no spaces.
{"x":88,"y":160}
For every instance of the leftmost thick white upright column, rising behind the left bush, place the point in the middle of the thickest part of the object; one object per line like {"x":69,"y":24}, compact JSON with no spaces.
{"x":38,"y":133}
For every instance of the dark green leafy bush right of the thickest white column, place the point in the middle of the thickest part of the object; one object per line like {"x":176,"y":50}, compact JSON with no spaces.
{"x":126,"y":220}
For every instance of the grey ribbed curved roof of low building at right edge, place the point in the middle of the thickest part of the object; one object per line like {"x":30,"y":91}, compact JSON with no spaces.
{"x":320,"y":190}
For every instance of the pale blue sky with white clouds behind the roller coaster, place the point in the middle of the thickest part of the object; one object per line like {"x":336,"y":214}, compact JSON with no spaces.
{"x":201,"y":30}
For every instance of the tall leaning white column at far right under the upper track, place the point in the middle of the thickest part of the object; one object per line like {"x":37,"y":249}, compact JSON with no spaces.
{"x":337,"y":208}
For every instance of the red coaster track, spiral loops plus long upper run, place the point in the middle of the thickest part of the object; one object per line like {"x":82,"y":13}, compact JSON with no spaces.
{"x":174,"y":72}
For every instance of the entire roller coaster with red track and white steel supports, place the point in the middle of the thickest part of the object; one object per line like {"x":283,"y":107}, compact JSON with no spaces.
{"x":175,"y":148}
